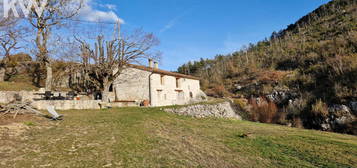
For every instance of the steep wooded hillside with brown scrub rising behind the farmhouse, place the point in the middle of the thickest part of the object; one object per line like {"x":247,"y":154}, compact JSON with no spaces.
{"x":313,"y":61}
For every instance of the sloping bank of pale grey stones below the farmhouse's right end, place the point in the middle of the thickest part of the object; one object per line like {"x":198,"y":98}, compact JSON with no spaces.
{"x":219,"y":110}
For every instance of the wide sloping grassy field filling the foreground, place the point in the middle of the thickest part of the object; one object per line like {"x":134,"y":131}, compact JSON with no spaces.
{"x":148,"y":137}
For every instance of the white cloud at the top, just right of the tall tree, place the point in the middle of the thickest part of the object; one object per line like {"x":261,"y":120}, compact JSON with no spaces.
{"x":89,"y":12}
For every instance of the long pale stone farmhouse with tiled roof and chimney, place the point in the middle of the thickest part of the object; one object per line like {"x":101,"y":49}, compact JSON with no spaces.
{"x":156,"y":87}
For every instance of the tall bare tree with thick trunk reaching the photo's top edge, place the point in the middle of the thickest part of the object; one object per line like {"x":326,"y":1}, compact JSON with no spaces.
{"x":56,"y":13}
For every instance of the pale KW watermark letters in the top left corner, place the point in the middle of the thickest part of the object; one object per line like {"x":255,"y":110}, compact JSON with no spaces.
{"x":26,"y":6}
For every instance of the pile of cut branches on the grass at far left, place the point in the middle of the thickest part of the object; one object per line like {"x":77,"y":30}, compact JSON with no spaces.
{"x":18,"y":108}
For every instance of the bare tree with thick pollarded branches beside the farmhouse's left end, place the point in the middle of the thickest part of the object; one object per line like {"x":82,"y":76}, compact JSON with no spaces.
{"x":108,"y":60}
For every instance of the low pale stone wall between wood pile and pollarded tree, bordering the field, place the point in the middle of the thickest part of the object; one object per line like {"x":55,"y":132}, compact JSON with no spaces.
{"x":67,"y":104}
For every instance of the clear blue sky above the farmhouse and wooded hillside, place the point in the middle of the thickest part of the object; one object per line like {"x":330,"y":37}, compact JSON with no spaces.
{"x":194,"y":29}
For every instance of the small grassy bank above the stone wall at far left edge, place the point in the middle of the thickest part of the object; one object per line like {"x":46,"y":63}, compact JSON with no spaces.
{"x":17,"y":86}
